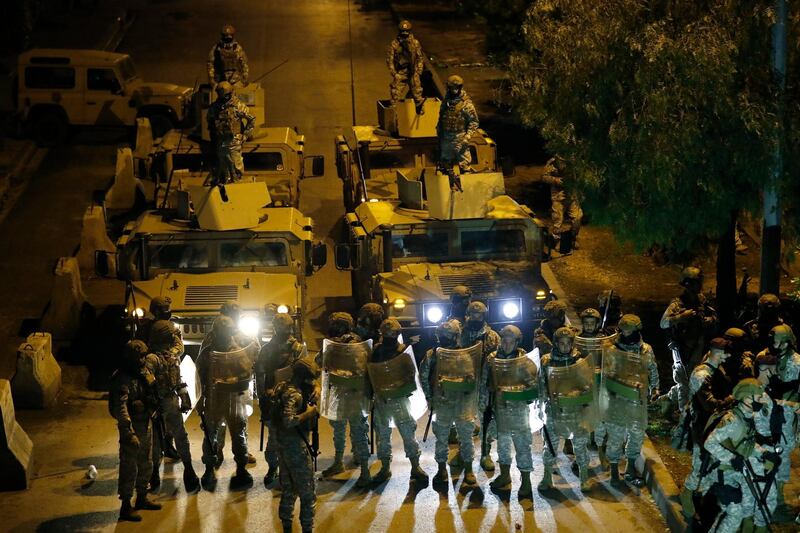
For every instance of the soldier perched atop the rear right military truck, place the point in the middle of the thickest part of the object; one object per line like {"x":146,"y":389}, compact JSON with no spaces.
{"x":405,"y":62}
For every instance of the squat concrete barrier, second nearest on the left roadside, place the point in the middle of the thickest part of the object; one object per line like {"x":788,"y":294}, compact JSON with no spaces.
{"x":37,"y":380}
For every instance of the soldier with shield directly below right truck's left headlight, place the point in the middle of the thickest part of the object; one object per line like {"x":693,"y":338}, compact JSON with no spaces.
{"x":453,"y":405}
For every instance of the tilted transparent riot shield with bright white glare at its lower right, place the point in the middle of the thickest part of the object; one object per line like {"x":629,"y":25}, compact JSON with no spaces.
{"x":399,"y":378}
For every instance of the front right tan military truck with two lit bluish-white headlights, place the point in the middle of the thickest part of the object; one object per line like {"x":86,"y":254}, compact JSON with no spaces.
{"x":409,"y":252}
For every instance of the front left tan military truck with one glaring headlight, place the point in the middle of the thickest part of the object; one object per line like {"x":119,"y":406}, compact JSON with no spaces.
{"x":235,"y":250}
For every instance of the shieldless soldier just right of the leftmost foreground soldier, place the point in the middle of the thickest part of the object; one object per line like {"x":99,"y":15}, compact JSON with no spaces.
{"x":173,"y":399}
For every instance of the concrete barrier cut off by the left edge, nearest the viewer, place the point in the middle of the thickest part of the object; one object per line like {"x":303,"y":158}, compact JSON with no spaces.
{"x":16,"y":449}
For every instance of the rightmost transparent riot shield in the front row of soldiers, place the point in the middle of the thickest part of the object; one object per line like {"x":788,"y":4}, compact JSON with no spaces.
{"x":623,"y":388}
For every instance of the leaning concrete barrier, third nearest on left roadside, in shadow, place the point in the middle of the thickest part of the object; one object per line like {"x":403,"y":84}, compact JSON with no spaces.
{"x":63,"y":315}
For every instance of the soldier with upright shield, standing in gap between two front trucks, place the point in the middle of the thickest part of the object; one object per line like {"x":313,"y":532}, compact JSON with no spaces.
{"x":351,"y":403}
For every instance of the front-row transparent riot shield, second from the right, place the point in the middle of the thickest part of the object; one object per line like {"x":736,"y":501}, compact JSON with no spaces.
{"x":572,"y":395}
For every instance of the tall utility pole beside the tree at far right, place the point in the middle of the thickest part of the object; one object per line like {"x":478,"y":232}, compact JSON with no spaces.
{"x":771,"y":234}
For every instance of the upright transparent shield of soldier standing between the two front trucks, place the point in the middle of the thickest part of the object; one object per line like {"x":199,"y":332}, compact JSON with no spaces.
{"x":345,"y":382}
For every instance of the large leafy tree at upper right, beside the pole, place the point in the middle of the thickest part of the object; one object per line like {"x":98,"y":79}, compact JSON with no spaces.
{"x":664,"y":110}
